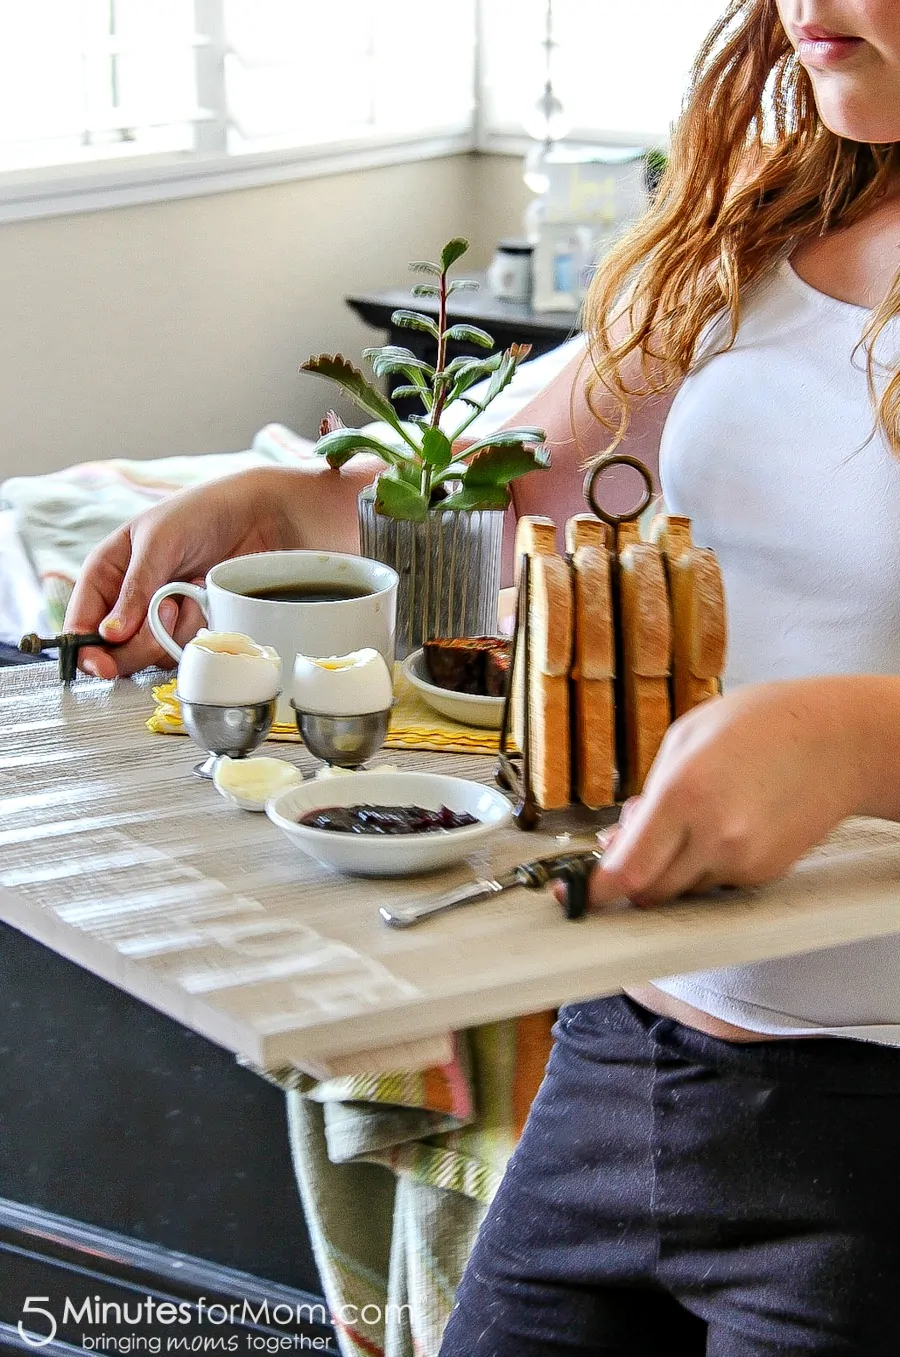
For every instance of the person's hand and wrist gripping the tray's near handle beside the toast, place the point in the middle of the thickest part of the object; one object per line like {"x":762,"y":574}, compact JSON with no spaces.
{"x":743,"y":786}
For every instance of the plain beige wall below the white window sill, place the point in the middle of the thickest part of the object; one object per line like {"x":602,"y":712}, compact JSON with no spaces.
{"x":180,"y":326}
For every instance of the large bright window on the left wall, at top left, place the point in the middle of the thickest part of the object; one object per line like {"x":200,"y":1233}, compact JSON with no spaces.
{"x":100,"y":81}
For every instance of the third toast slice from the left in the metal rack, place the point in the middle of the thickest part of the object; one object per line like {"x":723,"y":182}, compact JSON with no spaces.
{"x":647,"y":655}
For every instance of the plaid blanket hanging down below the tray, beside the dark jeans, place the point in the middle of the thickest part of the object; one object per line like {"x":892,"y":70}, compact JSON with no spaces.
{"x":397,"y":1173}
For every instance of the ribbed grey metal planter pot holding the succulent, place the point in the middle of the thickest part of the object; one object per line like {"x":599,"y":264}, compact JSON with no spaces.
{"x":449,"y":568}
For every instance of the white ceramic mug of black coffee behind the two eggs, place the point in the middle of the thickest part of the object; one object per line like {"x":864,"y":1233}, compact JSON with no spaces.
{"x":295,"y":628}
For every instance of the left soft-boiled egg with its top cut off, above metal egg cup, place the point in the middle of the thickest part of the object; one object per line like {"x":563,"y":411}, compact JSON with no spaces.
{"x":227,"y":670}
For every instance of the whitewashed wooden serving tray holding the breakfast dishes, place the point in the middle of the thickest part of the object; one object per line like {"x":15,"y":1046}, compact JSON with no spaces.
{"x":117,"y":858}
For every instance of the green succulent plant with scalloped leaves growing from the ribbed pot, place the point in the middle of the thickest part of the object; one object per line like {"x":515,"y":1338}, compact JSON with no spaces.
{"x":420,"y":461}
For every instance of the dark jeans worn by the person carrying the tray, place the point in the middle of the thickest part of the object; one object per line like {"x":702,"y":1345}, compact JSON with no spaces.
{"x":681,"y":1196}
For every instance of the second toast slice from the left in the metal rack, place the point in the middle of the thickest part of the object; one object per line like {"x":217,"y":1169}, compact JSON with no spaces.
{"x":594,"y":675}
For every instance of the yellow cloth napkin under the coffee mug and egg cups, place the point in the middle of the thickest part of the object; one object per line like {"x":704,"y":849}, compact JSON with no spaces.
{"x":413,"y":724}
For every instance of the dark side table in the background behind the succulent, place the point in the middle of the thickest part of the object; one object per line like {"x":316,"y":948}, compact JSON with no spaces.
{"x":508,"y":322}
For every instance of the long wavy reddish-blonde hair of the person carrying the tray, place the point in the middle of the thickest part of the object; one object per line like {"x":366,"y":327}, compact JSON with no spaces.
{"x":753,"y":172}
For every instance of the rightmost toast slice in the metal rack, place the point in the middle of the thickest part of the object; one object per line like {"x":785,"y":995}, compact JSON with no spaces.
{"x":698,"y":614}
